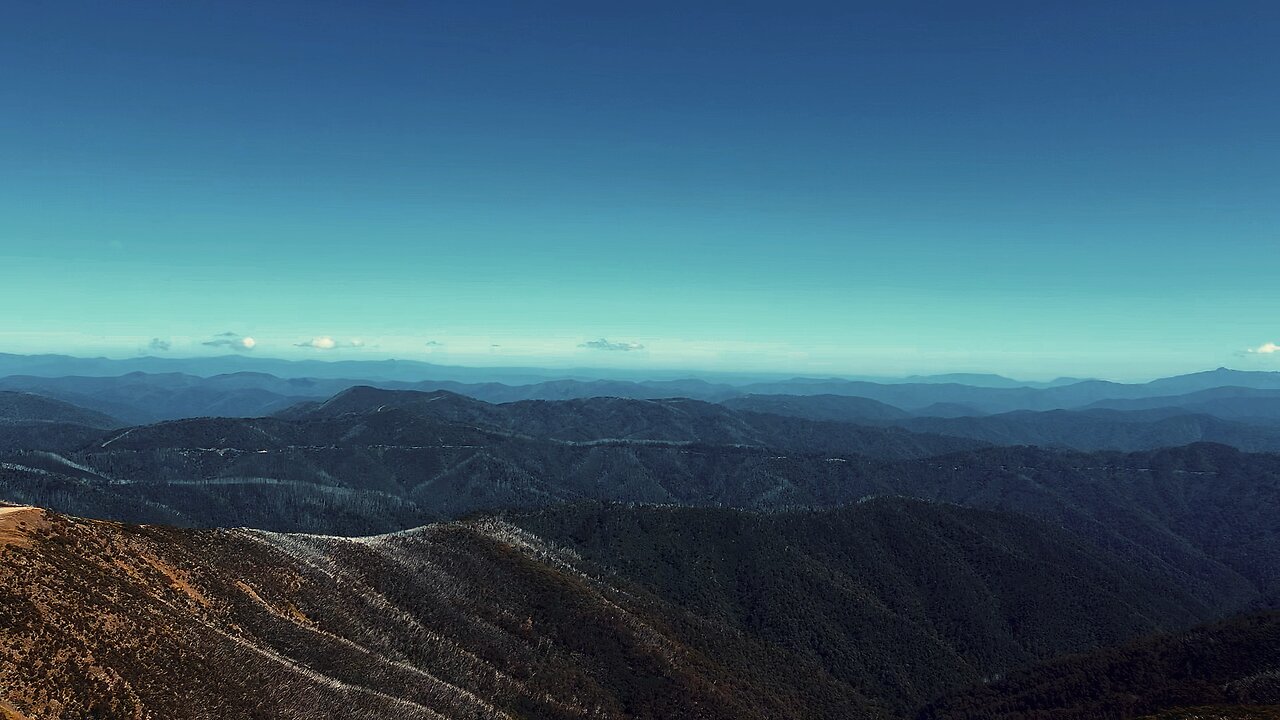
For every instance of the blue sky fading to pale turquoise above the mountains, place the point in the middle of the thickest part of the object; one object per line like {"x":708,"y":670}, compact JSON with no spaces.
{"x":1022,"y":188}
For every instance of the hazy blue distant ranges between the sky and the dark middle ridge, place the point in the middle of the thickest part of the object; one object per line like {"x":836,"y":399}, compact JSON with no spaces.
{"x":1086,"y":416}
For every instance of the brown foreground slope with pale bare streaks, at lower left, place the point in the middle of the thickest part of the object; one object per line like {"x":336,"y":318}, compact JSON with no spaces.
{"x":474,"y":621}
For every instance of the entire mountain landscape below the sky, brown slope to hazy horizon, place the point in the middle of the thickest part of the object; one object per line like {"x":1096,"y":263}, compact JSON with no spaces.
{"x":638,"y":549}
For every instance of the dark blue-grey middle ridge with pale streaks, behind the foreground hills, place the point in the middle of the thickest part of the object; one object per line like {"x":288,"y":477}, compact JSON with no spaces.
{"x":1203,"y":512}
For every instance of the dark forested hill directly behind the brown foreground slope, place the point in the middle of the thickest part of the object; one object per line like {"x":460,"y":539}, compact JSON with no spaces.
{"x":897,"y":598}
